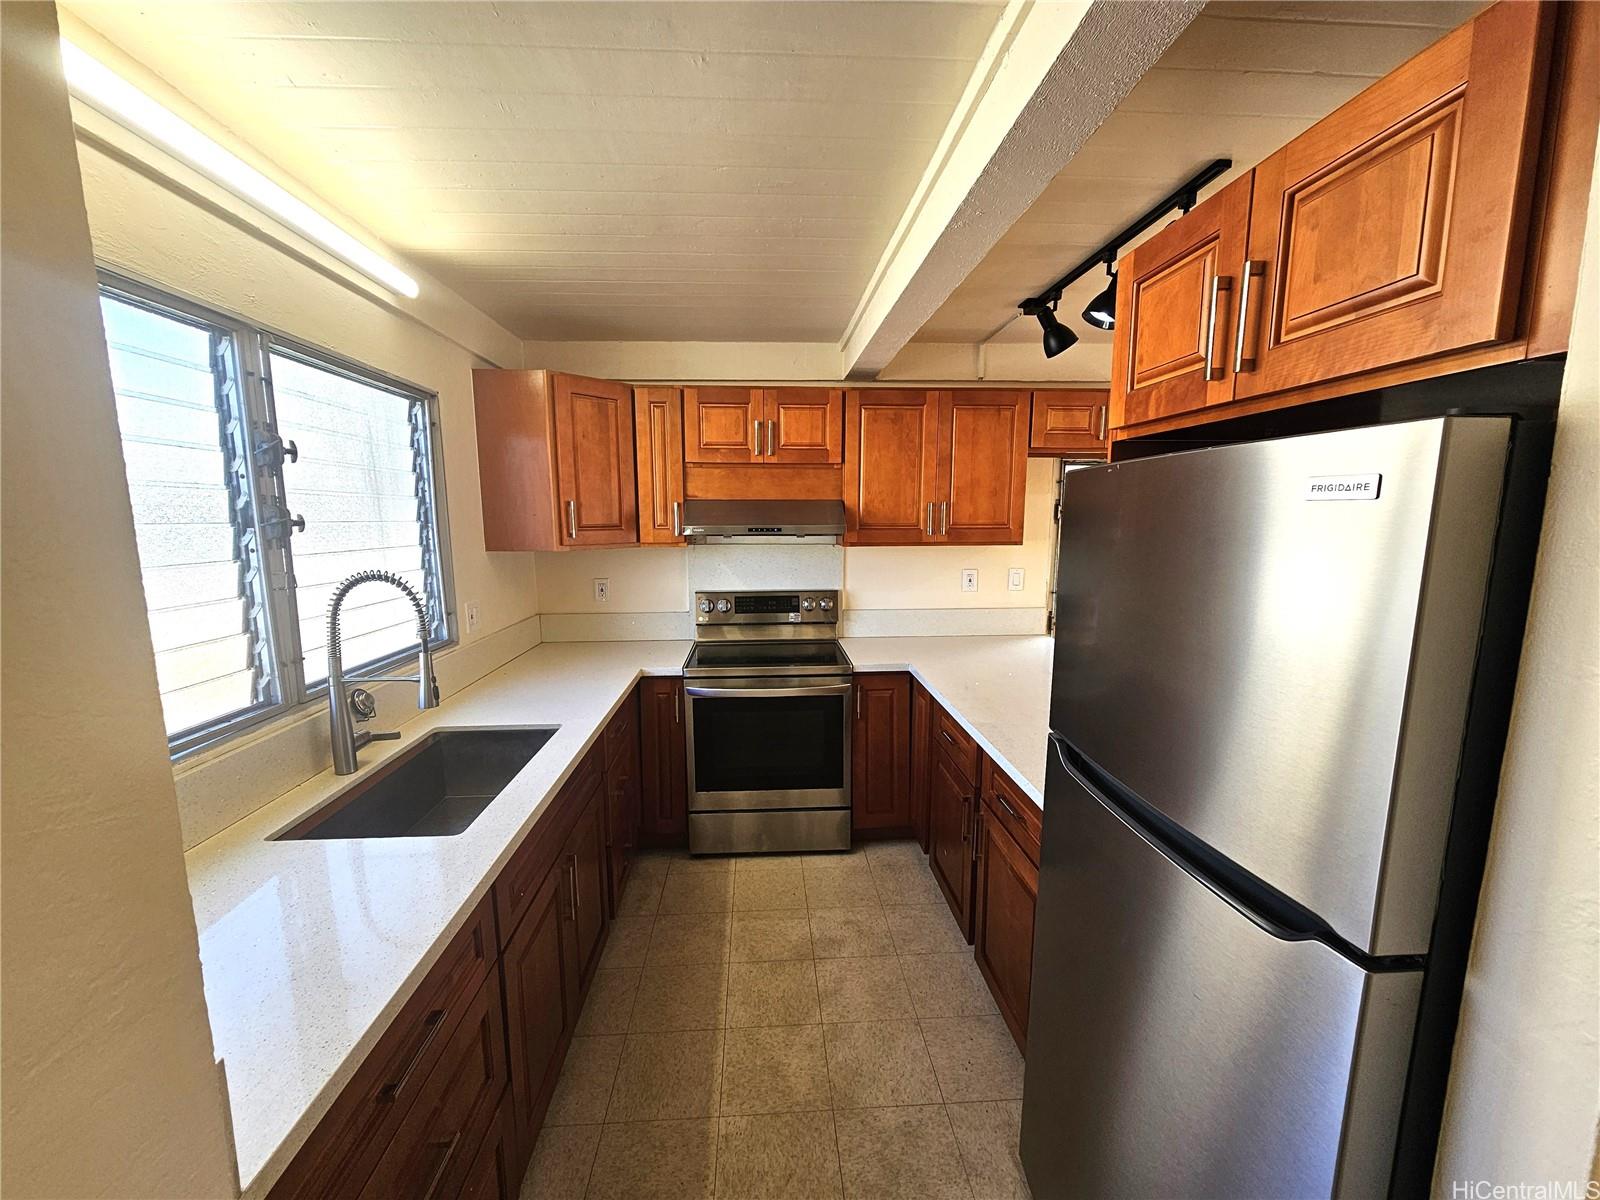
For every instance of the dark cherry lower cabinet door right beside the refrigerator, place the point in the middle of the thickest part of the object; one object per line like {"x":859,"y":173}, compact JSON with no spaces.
{"x":1004,"y":921}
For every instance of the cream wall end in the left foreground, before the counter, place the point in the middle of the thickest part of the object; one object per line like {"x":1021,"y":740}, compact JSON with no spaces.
{"x":110,"y":1081}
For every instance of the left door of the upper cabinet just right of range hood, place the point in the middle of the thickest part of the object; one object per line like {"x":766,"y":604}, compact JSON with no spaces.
{"x":892,"y":452}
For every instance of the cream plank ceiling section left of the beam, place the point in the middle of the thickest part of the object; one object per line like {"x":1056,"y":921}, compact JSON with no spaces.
{"x":679,"y":172}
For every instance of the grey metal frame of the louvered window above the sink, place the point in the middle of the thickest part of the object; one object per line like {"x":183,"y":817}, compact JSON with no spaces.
{"x":252,"y":346}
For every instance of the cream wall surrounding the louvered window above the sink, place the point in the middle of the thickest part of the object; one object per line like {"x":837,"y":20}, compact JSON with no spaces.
{"x":156,"y":223}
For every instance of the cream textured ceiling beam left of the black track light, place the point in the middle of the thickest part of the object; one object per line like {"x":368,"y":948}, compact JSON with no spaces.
{"x":1050,"y":74}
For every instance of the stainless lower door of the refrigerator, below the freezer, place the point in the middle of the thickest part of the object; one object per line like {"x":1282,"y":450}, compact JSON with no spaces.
{"x":1178,"y":1050}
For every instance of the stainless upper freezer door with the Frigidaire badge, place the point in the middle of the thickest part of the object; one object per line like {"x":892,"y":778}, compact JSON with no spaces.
{"x":1274,"y":644}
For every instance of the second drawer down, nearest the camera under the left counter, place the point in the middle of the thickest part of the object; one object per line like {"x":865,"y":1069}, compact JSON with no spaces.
{"x":431,"y":1154}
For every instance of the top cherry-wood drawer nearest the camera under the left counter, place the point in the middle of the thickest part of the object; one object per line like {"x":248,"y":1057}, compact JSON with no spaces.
{"x":345,"y":1148}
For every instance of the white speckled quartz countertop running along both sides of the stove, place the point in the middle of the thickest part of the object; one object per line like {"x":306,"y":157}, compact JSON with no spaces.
{"x":311,"y":948}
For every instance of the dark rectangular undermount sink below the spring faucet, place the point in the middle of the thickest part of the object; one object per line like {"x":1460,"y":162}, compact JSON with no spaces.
{"x":434,"y":790}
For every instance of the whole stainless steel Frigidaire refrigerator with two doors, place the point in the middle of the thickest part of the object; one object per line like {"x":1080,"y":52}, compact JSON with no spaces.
{"x":1266,"y":660}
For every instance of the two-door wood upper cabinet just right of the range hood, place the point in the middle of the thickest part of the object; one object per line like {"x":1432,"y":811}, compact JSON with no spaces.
{"x":935,"y":466}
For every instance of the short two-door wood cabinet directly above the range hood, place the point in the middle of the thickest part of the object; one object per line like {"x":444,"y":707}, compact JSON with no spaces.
{"x":764,"y":425}
